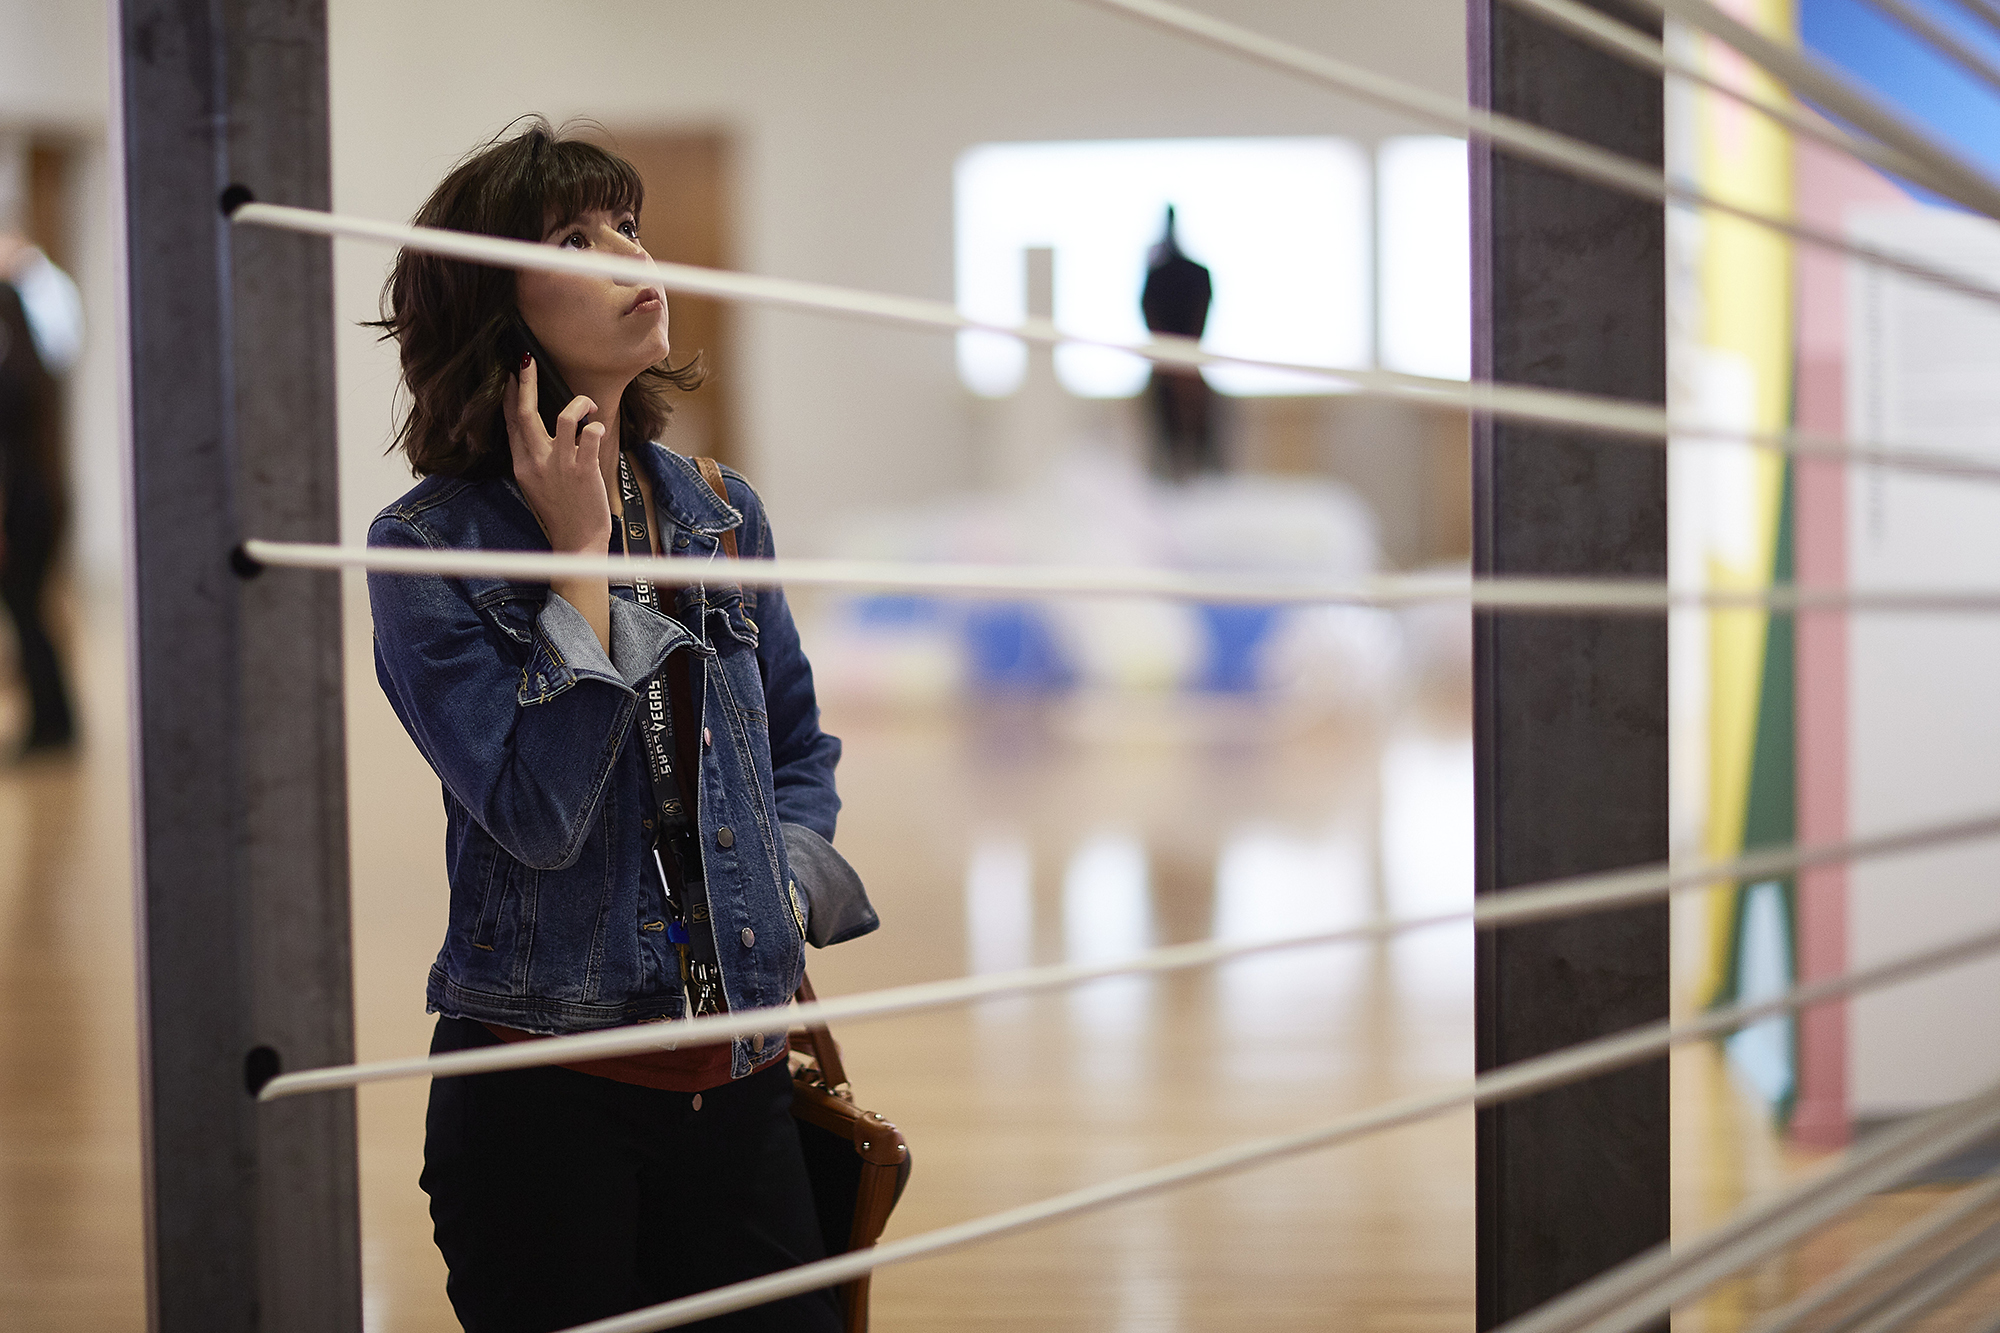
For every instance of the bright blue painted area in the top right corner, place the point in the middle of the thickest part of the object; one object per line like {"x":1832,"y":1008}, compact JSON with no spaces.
{"x":1905,"y":73}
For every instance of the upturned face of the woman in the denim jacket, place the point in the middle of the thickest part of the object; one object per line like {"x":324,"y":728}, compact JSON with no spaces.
{"x":599,"y":331}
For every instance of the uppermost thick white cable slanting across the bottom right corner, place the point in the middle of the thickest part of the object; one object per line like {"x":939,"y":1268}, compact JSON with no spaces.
{"x":1645,"y":1288}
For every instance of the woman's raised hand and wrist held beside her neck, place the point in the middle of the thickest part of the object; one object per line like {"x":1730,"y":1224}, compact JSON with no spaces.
{"x":565,"y":487}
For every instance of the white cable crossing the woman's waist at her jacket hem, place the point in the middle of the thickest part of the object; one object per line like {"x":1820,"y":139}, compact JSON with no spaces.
{"x":1565,"y":898}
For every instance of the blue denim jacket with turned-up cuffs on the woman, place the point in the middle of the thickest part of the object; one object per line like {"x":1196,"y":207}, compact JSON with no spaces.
{"x":559,"y":920}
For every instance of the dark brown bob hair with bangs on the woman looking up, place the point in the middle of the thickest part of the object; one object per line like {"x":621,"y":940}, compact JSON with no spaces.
{"x":449,"y":317}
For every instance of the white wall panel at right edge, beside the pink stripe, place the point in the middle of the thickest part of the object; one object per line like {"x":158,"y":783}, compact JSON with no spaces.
{"x":1925,"y":742}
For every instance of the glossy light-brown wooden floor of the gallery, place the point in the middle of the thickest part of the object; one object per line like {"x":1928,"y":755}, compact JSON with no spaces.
{"x":991,"y":840}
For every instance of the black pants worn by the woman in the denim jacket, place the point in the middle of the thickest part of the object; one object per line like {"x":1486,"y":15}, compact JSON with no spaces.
{"x":563,"y":1198}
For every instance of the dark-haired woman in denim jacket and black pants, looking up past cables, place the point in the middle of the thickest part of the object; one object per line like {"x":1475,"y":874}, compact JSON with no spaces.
{"x":639,"y":798}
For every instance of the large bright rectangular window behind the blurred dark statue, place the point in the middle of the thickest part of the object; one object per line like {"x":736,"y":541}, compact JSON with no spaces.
{"x":1281,"y":223}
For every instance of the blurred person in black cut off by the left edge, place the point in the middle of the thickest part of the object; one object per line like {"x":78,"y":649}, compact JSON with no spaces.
{"x":41,"y":333}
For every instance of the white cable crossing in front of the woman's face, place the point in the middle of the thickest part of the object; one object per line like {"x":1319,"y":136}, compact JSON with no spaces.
{"x":1611,"y":417}
